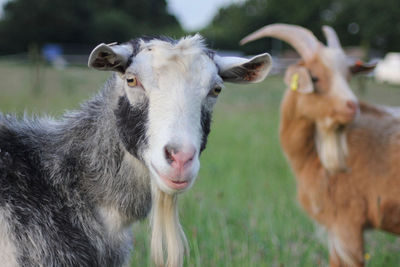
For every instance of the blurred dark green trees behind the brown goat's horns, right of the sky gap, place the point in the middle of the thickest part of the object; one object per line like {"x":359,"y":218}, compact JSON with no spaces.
{"x":370,"y":23}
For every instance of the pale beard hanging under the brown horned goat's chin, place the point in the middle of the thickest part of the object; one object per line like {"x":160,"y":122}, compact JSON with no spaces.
{"x":332,"y":148}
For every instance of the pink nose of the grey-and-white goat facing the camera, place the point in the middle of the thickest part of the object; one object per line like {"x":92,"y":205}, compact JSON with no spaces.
{"x":179,"y":157}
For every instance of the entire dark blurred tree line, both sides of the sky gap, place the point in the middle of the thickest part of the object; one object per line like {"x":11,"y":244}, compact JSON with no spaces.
{"x":371,"y":24}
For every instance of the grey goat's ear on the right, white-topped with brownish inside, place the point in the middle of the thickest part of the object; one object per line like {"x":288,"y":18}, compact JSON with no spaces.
{"x":241,"y":70}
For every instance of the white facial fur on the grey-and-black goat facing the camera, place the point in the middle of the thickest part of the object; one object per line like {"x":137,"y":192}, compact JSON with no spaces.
{"x":176,"y":79}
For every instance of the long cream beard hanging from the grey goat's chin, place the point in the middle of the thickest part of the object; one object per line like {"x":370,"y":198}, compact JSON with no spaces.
{"x":167,"y":234}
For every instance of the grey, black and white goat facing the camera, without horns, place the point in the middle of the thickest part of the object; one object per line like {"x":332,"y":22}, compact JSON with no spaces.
{"x":71,"y":188}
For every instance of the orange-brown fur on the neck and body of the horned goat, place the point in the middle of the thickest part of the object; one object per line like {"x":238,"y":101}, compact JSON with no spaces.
{"x":367,"y":194}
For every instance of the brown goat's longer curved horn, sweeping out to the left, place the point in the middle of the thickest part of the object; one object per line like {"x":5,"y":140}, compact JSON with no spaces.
{"x":300,"y":38}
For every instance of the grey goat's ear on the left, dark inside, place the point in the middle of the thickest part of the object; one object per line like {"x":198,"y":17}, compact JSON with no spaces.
{"x":110,"y":57}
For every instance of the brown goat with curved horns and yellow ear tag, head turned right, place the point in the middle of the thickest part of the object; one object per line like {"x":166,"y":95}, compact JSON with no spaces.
{"x":344,"y":154}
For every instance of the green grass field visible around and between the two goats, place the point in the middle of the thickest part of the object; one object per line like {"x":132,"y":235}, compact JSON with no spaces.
{"x":242,"y":211}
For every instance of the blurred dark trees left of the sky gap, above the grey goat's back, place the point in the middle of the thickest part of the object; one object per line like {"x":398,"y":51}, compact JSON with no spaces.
{"x":81,"y":22}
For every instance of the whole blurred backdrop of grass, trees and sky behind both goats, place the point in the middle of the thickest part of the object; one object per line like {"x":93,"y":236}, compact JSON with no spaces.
{"x":242,"y":210}
